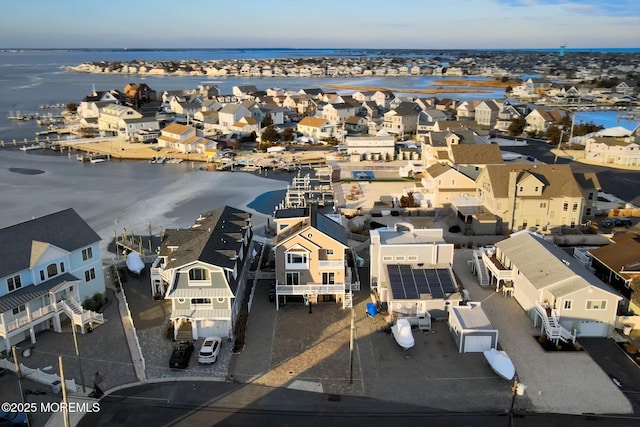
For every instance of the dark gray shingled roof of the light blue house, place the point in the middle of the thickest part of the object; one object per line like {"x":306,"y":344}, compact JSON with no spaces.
{"x":65,"y":230}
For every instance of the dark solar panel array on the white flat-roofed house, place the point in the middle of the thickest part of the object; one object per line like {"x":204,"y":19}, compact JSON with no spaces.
{"x":409,"y":283}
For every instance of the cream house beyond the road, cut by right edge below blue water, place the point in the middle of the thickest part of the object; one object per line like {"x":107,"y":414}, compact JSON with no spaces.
{"x":615,"y":151}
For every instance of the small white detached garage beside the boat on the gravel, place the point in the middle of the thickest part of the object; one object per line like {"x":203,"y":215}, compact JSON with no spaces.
{"x":471,"y":329}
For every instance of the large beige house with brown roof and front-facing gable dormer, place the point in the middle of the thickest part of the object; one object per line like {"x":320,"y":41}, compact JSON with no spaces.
{"x":524,"y":196}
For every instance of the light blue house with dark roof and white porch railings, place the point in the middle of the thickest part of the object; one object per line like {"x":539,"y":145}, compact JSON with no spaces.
{"x":50,"y":265}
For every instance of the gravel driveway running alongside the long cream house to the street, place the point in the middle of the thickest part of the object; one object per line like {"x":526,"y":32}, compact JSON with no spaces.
{"x":560,"y":382}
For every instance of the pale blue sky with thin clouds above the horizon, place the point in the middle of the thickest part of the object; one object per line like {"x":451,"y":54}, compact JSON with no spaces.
{"x":400,"y":24}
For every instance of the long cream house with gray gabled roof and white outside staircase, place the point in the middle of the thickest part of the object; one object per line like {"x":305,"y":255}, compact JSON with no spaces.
{"x":555,"y":289}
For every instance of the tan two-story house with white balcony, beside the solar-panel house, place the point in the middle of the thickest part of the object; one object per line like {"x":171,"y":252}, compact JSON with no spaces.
{"x":310,"y":257}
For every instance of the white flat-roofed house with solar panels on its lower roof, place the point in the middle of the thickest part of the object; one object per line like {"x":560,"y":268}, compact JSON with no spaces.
{"x":410,"y":270}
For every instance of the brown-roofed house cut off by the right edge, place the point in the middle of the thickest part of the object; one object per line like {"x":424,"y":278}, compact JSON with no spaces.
{"x":618,"y":264}
